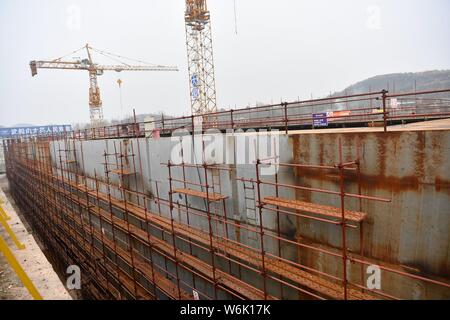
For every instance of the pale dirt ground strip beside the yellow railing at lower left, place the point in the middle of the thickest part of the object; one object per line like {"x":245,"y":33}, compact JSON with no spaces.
{"x":31,"y":258}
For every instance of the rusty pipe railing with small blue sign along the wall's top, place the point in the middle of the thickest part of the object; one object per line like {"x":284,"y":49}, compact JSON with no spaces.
{"x":370,"y":109}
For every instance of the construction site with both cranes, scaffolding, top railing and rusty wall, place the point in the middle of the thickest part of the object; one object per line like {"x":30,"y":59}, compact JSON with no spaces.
{"x":345,"y":197}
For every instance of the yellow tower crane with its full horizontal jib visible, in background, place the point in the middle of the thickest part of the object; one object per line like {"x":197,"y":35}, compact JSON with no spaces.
{"x":87,"y":64}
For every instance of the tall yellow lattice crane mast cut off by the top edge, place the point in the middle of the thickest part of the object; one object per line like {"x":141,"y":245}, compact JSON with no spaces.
{"x":200,"y":57}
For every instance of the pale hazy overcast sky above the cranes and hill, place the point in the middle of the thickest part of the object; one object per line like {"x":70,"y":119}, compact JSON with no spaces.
{"x":284,"y":49}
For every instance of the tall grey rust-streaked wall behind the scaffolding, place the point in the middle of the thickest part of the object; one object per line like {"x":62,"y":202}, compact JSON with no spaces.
{"x":412,"y":168}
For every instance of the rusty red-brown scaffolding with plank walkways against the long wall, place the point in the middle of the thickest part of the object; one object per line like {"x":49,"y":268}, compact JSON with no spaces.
{"x":182,"y":241}
